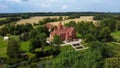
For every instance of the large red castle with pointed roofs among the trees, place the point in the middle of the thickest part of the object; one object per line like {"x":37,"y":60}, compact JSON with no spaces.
{"x":65,"y":33}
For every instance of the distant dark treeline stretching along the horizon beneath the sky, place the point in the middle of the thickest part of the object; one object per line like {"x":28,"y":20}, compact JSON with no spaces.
{"x":55,"y":14}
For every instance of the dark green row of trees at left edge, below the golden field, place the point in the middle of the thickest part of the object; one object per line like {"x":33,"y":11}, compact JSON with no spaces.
{"x":15,"y":29}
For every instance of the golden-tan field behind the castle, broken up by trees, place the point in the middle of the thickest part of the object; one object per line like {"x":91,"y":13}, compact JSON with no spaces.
{"x":37,"y":18}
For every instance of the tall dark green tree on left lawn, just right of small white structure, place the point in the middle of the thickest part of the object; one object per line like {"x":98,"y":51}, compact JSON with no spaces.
{"x":13,"y":48}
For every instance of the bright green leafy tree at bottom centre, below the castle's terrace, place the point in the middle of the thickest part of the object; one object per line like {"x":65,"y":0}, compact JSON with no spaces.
{"x":64,"y":60}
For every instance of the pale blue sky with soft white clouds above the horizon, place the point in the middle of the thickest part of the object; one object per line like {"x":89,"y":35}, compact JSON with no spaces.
{"x":17,"y":6}
